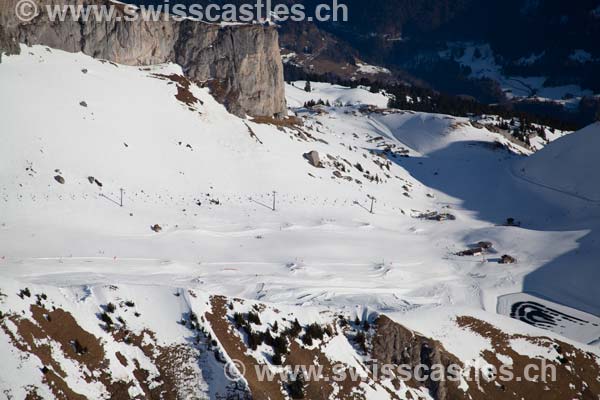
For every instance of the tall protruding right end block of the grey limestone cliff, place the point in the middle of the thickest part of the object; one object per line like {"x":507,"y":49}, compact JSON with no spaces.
{"x":242,"y":64}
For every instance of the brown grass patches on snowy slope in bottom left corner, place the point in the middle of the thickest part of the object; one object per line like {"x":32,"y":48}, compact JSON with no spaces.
{"x":59,"y":326}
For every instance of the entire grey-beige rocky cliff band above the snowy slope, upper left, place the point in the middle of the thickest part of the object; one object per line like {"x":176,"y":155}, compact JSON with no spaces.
{"x":241,"y":63}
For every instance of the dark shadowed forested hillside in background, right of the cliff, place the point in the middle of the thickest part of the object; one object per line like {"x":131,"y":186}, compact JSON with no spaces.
{"x":551,"y":39}
